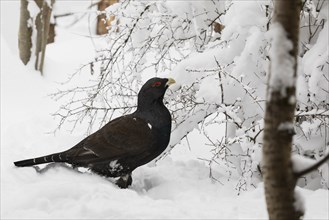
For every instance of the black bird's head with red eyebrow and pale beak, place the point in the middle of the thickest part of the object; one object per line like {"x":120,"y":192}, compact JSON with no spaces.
{"x":153,"y":90}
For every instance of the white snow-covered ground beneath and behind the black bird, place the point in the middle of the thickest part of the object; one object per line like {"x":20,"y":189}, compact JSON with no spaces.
{"x":176,"y":187}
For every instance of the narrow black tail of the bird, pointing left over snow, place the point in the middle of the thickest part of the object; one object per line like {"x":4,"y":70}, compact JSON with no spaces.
{"x":58,"y":157}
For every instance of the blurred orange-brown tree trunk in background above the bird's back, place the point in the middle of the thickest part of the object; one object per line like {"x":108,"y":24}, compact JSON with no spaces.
{"x":102,"y":22}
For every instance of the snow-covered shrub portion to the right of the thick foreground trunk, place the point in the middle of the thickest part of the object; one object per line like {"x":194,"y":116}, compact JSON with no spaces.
{"x":312,"y":138}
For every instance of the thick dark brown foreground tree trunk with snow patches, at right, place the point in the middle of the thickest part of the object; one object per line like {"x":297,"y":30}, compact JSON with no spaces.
{"x":279,"y":177}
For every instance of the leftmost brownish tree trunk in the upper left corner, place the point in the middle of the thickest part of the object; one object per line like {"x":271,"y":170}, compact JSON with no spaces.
{"x":25,"y":33}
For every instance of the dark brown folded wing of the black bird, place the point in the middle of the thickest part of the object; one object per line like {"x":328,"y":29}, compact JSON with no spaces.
{"x":122,"y":137}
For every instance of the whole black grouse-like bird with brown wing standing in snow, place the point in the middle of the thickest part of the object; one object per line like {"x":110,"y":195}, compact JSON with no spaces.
{"x":124,"y":143}
